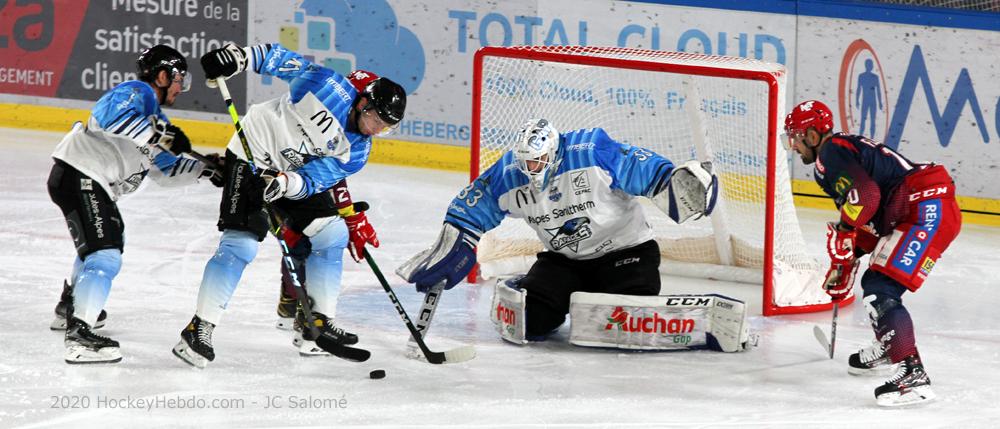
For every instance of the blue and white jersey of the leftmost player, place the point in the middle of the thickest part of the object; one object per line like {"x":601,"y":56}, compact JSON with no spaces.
{"x":114,"y":148}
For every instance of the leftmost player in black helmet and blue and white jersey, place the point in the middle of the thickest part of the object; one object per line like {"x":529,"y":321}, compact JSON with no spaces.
{"x":126,"y":138}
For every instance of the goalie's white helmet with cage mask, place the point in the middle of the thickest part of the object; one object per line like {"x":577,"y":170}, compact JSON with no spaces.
{"x":537,"y":151}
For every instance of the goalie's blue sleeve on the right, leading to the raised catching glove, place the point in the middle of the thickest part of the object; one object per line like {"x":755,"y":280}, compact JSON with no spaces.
{"x":635,"y":170}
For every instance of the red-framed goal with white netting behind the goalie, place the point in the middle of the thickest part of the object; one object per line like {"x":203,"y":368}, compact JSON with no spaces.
{"x":682,"y":106}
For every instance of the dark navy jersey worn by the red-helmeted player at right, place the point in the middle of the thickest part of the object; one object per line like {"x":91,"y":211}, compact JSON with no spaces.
{"x":862,"y":176}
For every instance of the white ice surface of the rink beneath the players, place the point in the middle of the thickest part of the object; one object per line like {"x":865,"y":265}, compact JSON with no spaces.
{"x":258,"y":378}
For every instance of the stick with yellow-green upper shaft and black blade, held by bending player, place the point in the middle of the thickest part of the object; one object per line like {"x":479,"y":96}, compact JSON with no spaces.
{"x":342,"y":351}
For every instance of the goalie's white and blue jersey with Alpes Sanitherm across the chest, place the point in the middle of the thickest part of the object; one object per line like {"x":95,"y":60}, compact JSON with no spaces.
{"x":588,"y":207}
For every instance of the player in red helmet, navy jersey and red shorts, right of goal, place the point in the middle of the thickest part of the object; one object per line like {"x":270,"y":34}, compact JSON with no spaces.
{"x":902,"y":213}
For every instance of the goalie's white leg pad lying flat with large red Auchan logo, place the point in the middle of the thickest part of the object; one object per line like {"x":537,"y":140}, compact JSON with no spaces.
{"x":665,"y":322}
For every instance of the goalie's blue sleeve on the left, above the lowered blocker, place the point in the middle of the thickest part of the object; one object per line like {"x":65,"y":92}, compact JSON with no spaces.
{"x":476,"y":209}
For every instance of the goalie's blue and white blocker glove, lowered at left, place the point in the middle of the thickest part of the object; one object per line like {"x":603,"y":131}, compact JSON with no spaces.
{"x":450,"y":259}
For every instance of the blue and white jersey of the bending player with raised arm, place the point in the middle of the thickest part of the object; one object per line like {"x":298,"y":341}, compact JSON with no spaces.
{"x":307,"y":129}
